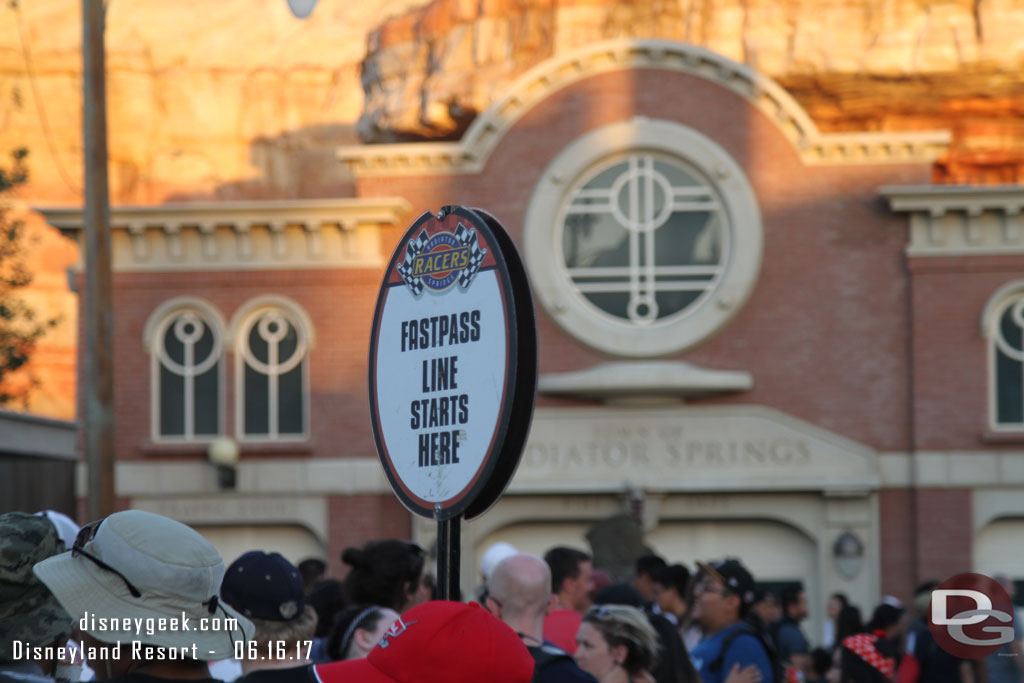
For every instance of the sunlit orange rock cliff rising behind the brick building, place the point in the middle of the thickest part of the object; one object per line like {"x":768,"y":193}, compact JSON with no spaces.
{"x":239,"y":99}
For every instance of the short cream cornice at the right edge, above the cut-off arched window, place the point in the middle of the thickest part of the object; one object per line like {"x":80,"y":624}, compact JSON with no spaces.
{"x":961,"y":221}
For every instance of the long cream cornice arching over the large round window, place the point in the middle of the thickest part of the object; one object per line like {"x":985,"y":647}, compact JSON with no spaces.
{"x":472,"y":153}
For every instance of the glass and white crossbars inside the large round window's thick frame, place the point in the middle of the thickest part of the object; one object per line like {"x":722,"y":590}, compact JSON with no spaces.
{"x":643,"y":238}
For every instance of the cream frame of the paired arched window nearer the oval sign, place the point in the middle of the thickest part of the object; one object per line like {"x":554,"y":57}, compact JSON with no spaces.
{"x":242,"y":322}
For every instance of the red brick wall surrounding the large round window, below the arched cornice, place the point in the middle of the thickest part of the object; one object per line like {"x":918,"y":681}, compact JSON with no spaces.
{"x":831,"y":302}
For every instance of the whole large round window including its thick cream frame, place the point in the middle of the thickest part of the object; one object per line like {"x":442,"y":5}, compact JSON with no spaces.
{"x":643,"y":238}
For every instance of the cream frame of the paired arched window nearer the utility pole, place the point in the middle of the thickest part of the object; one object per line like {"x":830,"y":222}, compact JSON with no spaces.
{"x":153,"y":336}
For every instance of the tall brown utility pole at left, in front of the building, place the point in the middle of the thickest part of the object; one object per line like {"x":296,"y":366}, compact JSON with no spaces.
{"x":99,"y":357}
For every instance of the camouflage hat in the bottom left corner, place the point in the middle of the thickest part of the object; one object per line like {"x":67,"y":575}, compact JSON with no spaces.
{"x":28,"y":610}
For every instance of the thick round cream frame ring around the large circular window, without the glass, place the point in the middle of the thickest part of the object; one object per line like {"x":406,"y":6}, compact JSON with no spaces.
{"x":742,"y":226}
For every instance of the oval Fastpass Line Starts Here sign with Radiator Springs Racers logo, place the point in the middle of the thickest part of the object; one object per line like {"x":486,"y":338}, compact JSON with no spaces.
{"x":453,"y":364}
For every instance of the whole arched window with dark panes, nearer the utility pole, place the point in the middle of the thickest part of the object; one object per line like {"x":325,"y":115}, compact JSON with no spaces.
{"x":185,"y":339}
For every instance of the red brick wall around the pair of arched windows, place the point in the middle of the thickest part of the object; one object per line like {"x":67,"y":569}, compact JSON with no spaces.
{"x":340,"y":305}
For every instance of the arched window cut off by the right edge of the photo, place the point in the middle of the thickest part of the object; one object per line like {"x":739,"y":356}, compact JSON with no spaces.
{"x":1004,"y":325}
